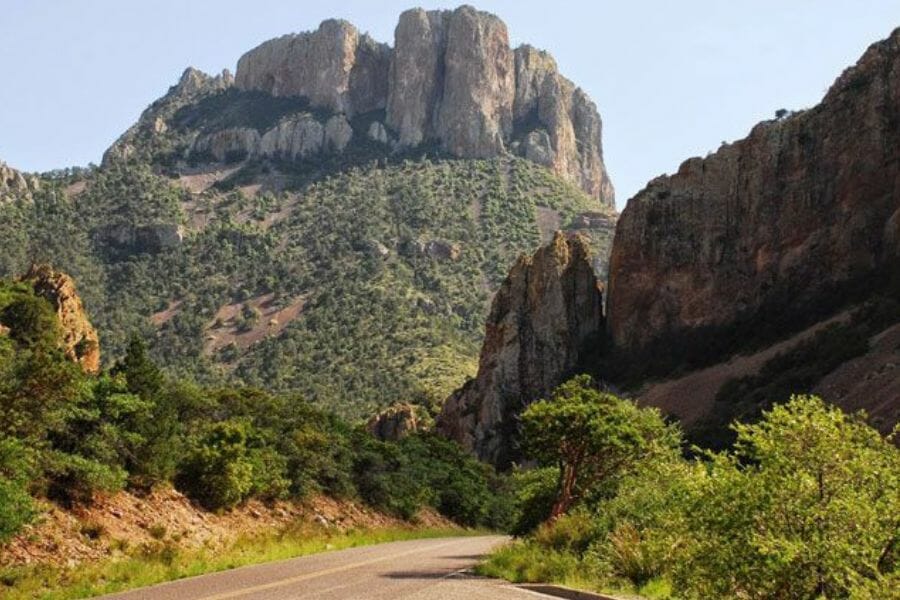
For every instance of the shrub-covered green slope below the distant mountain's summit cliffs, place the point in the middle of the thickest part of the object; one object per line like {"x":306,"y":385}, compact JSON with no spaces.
{"x":388,"y":269}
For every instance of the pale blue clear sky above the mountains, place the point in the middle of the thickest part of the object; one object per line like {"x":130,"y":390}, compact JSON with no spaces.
{"x":671,"y":79}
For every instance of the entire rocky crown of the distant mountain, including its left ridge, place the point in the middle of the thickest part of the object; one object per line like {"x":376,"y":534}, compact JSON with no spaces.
{"x":450,"y":84}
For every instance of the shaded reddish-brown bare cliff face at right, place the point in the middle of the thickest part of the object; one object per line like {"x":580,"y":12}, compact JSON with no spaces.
{"x":777,"y":227}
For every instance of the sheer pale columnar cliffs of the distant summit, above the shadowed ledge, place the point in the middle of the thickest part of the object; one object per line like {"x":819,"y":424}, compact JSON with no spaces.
{"x":451,"y":79}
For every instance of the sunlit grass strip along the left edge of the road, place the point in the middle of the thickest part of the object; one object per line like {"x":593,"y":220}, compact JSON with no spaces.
{"x":163,"y":561}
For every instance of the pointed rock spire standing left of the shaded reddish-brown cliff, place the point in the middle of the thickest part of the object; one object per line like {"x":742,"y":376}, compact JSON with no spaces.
{"x":541,"y":321}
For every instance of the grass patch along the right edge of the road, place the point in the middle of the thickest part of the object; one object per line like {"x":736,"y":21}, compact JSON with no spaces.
{"x":528,"y":562}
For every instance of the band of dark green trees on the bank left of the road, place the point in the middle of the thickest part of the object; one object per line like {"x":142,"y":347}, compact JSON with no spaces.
{"x":66,"y":436}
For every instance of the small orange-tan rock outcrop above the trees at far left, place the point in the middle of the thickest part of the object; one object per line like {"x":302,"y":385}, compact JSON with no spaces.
{"x":79,"y":338}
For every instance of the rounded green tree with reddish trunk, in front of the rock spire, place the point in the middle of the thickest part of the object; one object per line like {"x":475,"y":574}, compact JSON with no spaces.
{"x":591,"y":436}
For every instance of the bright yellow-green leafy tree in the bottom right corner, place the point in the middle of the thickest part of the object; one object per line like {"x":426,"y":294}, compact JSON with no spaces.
{"x":807,"y":506}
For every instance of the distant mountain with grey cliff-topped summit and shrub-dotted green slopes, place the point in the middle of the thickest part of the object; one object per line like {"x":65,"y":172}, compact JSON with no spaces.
{"x":327,"y":221}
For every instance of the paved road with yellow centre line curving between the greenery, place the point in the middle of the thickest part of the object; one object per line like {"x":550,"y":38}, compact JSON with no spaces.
{"x":415,"y":570}
